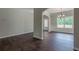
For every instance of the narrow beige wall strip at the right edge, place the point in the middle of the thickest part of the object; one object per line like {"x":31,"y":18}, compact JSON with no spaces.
{"x":76,"y":28}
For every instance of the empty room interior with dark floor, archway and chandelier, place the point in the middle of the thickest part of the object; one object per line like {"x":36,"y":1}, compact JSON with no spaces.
{"x":39,"y":29}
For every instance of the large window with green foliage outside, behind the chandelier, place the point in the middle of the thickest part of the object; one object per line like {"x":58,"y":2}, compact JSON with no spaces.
{"x":66,"y":22}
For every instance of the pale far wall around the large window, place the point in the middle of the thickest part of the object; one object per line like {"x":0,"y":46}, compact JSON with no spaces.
{"x":54,"y":23}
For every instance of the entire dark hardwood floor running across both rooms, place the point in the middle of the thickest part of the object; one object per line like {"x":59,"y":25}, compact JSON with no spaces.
{"x":51,"y":42}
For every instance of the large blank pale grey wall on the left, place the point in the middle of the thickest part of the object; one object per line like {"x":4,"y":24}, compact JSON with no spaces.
{"x":15,"y":21}
